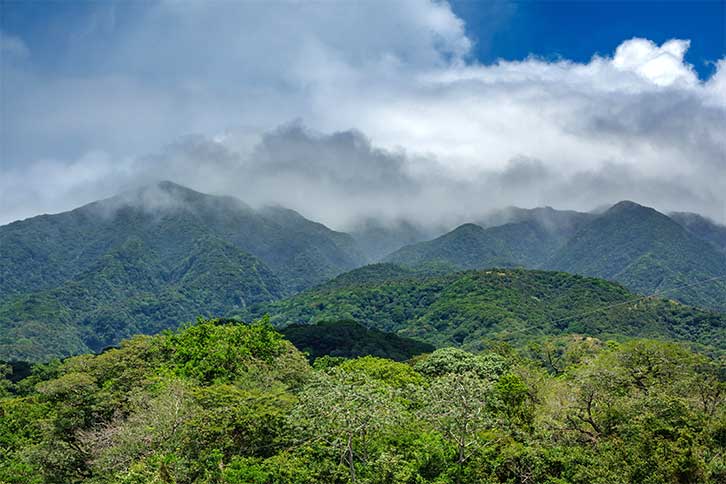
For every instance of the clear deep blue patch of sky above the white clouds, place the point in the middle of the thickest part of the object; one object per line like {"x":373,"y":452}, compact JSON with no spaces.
{"x":577,"y":29}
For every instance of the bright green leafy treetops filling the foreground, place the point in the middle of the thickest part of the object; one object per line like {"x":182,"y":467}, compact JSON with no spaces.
{"x":238,"y":404}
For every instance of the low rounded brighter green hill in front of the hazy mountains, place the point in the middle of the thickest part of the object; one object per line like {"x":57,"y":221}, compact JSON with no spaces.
{"x":472,"y":308}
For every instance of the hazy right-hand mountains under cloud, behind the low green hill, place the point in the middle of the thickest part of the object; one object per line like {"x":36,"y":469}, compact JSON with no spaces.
{"x":637,"y":246}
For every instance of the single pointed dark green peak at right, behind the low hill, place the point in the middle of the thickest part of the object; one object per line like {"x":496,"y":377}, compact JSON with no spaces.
{"x":649,"y":253}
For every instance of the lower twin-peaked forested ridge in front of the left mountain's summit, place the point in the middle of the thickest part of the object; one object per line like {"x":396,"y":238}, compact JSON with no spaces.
{"x":127,"y":292}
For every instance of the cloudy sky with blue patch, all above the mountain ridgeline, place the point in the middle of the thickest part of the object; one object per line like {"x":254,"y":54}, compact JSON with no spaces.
{"x":430,"y":111}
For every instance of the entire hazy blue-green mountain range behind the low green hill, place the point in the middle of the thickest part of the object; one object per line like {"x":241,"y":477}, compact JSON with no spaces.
{"x":147,"y":259}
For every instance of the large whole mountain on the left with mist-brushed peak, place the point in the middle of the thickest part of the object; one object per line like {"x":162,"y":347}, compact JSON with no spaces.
{"x":146,"y":260}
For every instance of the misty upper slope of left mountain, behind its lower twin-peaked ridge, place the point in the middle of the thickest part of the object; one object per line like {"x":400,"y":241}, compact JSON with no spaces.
{"x":41,"y":252}
